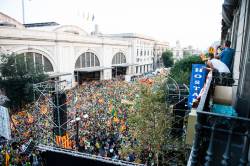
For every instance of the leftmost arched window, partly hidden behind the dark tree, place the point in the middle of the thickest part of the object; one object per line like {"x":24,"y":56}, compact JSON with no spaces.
{"x":34,"y":61}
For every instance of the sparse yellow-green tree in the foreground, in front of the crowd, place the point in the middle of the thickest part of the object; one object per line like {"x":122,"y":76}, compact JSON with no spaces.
{"x":150,"y":124}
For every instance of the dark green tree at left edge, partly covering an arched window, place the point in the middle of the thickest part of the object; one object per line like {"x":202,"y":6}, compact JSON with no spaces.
{"x":17,"y":79}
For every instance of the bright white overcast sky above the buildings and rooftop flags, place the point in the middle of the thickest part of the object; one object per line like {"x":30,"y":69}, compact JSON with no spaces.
{"x":192,"y":22}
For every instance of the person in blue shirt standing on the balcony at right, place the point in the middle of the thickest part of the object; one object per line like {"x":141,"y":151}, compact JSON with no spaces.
{"x":227,"y":55}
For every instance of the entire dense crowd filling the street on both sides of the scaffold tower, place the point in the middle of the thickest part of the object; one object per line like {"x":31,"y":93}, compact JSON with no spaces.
{"x":101,"y":106}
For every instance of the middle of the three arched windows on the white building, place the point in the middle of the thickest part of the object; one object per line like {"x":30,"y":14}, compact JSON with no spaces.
{"x":87,"y":59}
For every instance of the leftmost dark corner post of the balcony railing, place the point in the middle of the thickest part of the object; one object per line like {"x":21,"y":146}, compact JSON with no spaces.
{"x":195,"y":150}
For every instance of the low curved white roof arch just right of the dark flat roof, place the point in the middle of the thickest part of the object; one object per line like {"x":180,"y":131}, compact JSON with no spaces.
{"x":71,"y":29}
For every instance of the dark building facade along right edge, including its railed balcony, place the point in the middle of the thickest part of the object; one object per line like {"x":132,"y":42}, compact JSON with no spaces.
{"x":223,"y":138}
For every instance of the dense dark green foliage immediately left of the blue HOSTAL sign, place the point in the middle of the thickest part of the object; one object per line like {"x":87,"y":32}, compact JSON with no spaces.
{"x":181,"y":70}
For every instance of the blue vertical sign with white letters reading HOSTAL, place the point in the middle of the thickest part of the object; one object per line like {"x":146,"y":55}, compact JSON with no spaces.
{"x":197,"y":80}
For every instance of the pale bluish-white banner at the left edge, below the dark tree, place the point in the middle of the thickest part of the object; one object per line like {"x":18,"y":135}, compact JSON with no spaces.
{"x":5,"y":123}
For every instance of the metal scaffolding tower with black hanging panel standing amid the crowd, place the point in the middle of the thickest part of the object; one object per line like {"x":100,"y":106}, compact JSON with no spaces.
{"x":46,"y":95}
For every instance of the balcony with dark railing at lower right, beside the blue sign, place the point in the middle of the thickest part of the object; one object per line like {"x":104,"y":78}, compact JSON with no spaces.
{"x":221,"y":137}
